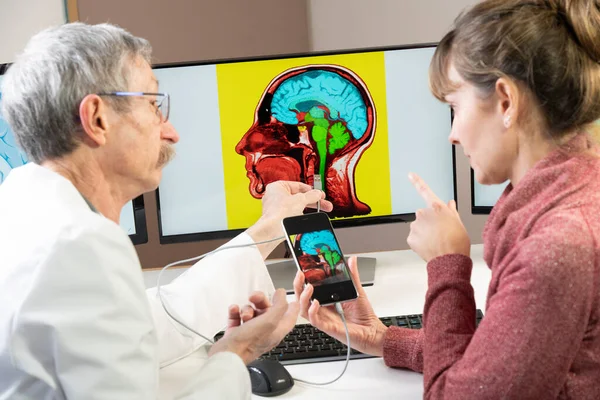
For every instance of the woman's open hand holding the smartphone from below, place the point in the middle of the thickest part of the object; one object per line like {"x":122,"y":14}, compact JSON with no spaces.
{"x":365,"y":329}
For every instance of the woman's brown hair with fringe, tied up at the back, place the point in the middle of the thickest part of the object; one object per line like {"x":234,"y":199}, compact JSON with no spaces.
{"x":551,"y":46}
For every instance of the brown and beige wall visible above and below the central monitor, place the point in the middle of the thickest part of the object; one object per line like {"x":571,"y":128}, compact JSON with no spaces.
{"x":183,"y":30}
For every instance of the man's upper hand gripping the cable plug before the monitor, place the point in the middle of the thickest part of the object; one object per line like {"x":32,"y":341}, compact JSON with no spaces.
{"x":283,"y":199}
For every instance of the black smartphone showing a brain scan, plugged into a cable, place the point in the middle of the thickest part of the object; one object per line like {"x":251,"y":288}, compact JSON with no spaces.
{"x":317,"y":254}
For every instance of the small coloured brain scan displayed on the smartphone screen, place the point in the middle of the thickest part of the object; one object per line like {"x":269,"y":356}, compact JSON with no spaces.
{"x":320,"y":257}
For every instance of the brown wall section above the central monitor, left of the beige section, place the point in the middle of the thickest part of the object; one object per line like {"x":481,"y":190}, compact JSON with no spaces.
{"x":188,"y":30}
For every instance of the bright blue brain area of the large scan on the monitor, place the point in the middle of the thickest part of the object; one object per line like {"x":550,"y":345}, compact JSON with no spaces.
{"x":315,"y":92}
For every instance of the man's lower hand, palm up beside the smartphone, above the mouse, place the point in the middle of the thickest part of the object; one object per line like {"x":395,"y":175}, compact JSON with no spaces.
{"x":264,"y":327}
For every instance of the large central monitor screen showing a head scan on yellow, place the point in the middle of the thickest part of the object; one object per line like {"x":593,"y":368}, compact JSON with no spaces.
{"x":359,"y":120}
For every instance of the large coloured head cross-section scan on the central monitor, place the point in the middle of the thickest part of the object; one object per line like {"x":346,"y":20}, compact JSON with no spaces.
{"x":312,"y":120}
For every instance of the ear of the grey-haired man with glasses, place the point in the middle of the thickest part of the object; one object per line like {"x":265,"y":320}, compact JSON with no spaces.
{"x":94,"y":120}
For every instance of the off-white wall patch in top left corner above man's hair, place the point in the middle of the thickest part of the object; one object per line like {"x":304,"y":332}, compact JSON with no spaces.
{"x":18,"y":23}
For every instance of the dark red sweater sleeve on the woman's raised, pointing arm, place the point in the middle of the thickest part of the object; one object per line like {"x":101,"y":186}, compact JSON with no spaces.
{"x":532,"y":329}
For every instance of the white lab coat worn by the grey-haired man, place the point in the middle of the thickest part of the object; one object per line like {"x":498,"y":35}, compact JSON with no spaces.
{"x":75,"y":319}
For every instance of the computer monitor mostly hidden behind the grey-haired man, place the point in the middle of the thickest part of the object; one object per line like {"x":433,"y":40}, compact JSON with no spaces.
{"x":133,"y":217}
